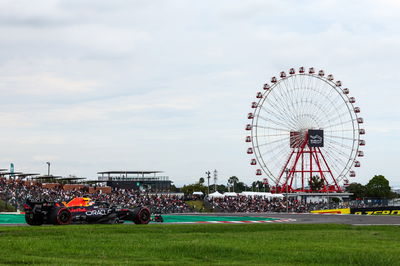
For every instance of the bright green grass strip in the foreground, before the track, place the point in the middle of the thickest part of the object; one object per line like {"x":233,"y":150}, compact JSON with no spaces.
{"x":279,"y":244}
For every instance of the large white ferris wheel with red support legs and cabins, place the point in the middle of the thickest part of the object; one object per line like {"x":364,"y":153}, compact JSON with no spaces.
{"x":305,"y":125}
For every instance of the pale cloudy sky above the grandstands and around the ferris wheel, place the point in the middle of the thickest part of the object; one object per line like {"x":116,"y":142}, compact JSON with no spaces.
{"x":166,"y":85}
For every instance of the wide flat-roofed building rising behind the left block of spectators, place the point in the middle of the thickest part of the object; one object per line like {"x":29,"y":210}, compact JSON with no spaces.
{"x":148,"y":181}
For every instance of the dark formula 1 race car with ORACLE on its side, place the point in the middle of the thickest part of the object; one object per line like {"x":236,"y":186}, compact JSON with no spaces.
{"x":82,"y":211}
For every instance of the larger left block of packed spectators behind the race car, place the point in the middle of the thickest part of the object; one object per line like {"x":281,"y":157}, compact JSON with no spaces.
{"x":16,"y":193}
